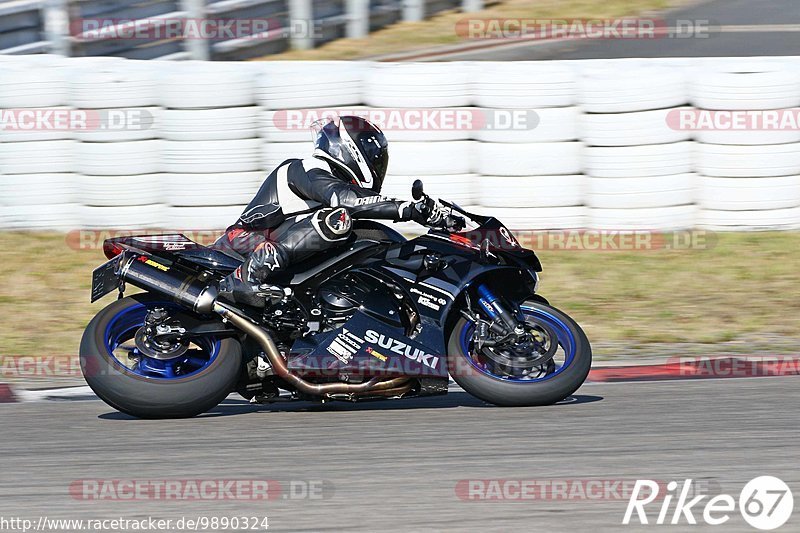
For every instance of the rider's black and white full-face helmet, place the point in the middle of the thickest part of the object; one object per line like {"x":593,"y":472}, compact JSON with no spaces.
{"x":356,"y":147}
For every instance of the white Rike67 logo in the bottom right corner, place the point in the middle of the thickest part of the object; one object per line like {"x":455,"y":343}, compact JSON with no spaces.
{"x":765,"y":503}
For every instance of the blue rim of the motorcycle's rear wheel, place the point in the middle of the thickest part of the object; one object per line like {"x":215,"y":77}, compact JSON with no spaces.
{"x":121,"y":329}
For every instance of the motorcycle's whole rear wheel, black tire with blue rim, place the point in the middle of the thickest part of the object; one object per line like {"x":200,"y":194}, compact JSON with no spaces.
{"x":166,"y":380}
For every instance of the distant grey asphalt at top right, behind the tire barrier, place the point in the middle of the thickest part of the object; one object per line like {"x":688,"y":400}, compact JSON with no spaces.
{"x":739,"y":28}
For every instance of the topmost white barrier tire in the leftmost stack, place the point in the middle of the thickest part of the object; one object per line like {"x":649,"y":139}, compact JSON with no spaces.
{"x":22,"y":86}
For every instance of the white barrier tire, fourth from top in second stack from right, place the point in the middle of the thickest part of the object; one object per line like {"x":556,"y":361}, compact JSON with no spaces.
{"x":649,"y":191}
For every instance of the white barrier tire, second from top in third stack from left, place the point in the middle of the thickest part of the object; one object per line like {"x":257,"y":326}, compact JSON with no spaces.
{"x":210,"y":124}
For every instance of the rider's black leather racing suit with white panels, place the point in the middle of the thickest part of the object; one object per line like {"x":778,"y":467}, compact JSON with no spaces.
{"x":301,"y":209}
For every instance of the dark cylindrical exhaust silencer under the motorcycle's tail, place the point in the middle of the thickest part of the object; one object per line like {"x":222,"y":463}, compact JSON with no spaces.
{"x":188,"y":289}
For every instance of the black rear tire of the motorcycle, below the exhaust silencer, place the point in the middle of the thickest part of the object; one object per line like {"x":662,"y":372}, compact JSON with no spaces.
{"x":148,"y":396}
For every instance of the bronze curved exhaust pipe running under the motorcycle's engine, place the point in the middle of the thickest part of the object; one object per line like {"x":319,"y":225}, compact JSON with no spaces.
{"x":279,"y":363}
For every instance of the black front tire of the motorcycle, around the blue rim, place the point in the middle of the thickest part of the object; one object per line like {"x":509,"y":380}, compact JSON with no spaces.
{"x":557,"y":383}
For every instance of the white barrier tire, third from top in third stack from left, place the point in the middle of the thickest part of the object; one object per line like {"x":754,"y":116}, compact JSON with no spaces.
{"x":184,"y":157}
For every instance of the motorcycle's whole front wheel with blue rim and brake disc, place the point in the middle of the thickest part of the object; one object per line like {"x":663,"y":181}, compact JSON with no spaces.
{"x":504,"y":378}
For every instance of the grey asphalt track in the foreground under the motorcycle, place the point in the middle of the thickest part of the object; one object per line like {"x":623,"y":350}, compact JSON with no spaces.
{"x":394,"y":465}
